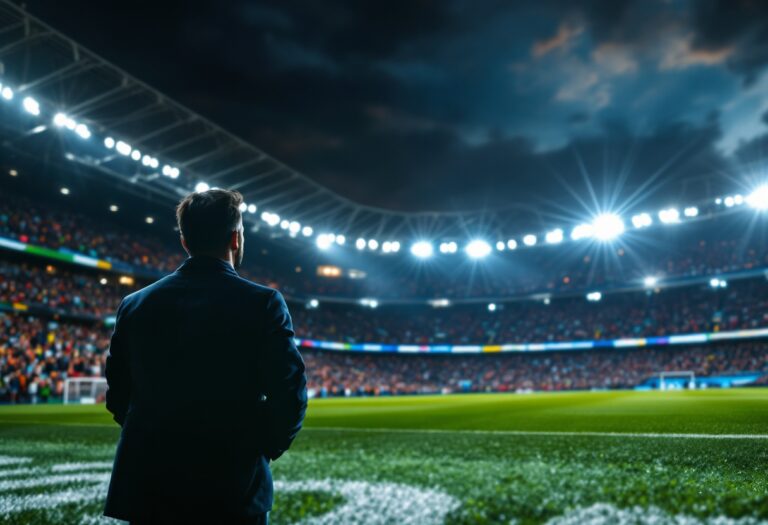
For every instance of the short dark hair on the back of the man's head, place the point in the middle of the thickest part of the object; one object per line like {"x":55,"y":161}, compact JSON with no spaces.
{"x":208,"y":218}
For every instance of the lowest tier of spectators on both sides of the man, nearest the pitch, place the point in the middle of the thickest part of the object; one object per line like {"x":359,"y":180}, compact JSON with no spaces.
{"x":37,"y":355}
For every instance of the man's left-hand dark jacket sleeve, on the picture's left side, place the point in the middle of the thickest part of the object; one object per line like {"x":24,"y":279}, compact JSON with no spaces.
{"x":118,"y":371}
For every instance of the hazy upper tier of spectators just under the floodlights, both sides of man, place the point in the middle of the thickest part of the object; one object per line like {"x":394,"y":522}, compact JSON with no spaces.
{"x":690,"y":251}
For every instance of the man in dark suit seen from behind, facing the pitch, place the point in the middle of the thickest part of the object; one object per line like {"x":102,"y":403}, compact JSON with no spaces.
{"x":205,"y":381}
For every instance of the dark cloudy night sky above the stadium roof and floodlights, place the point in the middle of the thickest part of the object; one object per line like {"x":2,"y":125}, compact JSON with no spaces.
{"x":463,"y":104}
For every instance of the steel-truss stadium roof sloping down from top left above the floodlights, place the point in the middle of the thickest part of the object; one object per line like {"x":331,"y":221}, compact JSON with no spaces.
{"x":41,"y":61}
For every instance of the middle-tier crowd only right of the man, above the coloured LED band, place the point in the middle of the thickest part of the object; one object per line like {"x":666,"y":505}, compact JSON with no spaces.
{"x":691,"y":309}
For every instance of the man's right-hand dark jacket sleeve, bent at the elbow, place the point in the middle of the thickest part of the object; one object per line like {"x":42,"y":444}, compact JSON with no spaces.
{"x":283,"y":373}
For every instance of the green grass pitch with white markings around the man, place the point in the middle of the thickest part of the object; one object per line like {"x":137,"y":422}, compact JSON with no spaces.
{"x":683,"y":458}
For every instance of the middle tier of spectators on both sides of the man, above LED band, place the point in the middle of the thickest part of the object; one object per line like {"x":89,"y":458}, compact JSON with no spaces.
{"x":691,"y":309}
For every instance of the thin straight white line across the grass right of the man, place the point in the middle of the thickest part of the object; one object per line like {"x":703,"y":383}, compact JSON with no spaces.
{"x":545,"y":433}
